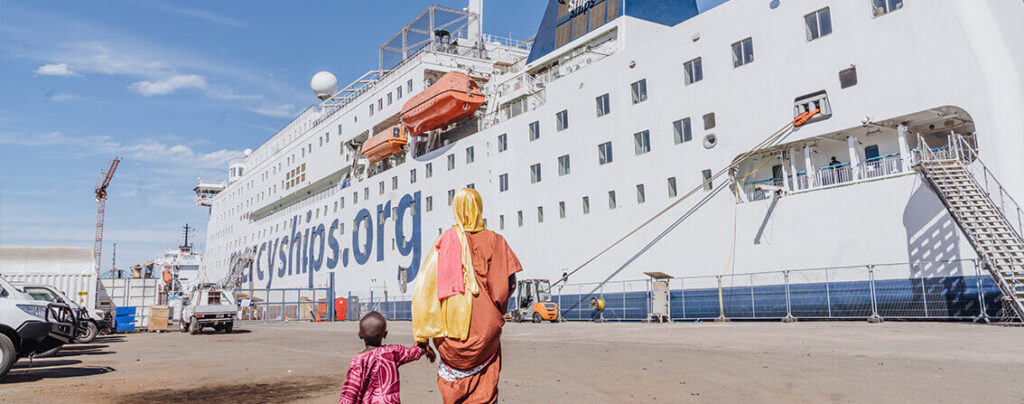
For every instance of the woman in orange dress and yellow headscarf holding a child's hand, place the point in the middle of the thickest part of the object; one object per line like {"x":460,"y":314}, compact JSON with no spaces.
{"x":461,"y":297}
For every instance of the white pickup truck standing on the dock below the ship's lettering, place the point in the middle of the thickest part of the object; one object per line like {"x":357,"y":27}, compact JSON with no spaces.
{"x":208,"y":306}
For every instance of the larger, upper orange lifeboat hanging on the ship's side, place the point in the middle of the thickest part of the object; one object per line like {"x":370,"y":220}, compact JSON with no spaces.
{"x":453,"y":99}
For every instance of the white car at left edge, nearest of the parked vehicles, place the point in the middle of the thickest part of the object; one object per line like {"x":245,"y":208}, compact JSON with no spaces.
{"x":30,"y":328}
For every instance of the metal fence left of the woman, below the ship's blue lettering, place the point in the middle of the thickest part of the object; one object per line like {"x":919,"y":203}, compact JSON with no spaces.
{"x":282,"y":304}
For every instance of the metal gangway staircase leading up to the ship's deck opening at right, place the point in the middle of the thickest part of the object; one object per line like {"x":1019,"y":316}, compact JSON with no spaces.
{"x":994,"y":230}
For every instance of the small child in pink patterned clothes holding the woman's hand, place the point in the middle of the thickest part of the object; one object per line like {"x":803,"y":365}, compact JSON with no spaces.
{"x":373,"y":375}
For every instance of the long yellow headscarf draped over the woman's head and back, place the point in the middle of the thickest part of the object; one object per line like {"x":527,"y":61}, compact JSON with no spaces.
{"x":434,"y":319}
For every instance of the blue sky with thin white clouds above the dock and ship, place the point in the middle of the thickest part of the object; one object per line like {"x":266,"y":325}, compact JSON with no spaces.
{"x":176,"y":89}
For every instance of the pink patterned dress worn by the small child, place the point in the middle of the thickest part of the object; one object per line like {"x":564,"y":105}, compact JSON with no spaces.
{"x":373,"y":377}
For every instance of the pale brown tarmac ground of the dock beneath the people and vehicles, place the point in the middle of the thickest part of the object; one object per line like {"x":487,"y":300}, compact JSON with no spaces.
{"x":817,"y":363}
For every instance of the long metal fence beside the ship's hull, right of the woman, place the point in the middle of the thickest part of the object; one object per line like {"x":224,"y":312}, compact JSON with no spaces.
{"x":890,"y":291}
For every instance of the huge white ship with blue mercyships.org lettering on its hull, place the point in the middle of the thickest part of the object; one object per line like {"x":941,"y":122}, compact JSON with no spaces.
{"x":634,"y":138}
